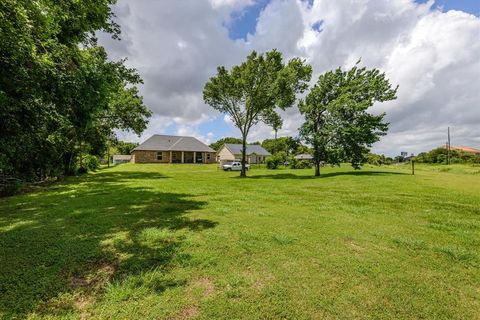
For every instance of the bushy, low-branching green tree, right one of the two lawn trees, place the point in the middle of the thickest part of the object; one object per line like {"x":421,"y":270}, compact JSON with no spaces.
{"x":337,"y":123}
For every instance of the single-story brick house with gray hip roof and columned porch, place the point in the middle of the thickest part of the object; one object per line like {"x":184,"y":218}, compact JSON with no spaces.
{"x":172,"y":149}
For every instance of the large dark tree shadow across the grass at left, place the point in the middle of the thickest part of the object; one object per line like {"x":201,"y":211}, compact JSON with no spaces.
{"x":73,"y":239}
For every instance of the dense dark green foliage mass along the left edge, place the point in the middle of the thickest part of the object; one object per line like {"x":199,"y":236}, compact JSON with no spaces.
{"x":60,"y":97}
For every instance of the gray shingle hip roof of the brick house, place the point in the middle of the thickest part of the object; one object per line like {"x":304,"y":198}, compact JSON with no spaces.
{"x":173,"y":143}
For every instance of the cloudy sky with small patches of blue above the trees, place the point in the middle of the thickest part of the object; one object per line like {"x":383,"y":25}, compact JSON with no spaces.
{"x":431,"y":49}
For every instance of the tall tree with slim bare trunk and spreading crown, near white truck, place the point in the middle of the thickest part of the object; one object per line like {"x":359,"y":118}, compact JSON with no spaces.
{"x":252,"y":91}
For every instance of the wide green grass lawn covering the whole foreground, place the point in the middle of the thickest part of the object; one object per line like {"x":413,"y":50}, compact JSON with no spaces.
{"x":190,"y":241}
